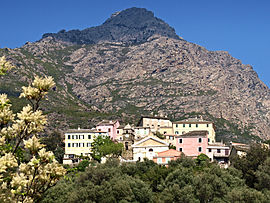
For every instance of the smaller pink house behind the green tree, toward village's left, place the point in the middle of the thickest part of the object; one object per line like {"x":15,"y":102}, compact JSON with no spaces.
{"x":110,"y":127}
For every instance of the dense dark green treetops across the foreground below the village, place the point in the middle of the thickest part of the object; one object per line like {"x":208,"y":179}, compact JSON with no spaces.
{"x":148,"y":182}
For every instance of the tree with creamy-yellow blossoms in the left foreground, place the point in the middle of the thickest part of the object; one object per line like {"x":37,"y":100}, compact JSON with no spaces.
{"x":27,"y":170}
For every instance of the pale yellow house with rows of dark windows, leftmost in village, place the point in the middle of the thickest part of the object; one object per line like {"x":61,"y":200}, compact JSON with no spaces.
{"x":78,"y":143}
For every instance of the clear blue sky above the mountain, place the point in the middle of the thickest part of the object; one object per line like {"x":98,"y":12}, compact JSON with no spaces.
{"x":241,"y":27}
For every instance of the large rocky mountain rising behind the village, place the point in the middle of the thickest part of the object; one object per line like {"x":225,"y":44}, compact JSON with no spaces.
{"x":134,"y":64}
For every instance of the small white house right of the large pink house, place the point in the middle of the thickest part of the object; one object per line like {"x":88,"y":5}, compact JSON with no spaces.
{"x":219,"y":152}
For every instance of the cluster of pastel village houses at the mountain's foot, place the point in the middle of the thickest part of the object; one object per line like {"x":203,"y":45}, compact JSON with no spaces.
{"x":155,"y":138}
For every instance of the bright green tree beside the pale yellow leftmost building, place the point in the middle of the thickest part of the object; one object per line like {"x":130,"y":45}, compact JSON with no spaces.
{"x":102,"y":147}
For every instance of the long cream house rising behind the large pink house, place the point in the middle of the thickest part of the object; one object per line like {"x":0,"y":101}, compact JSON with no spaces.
{"x":195,"y":124}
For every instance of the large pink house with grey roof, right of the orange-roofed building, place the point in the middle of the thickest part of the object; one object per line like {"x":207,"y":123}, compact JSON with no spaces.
{"x":192,"y":143}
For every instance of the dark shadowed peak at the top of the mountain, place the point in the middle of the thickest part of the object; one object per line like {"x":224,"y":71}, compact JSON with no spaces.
{"x":133,"y":25}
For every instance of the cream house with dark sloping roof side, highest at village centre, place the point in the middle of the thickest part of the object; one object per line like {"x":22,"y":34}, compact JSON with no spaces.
{"x":154,"y":122}
